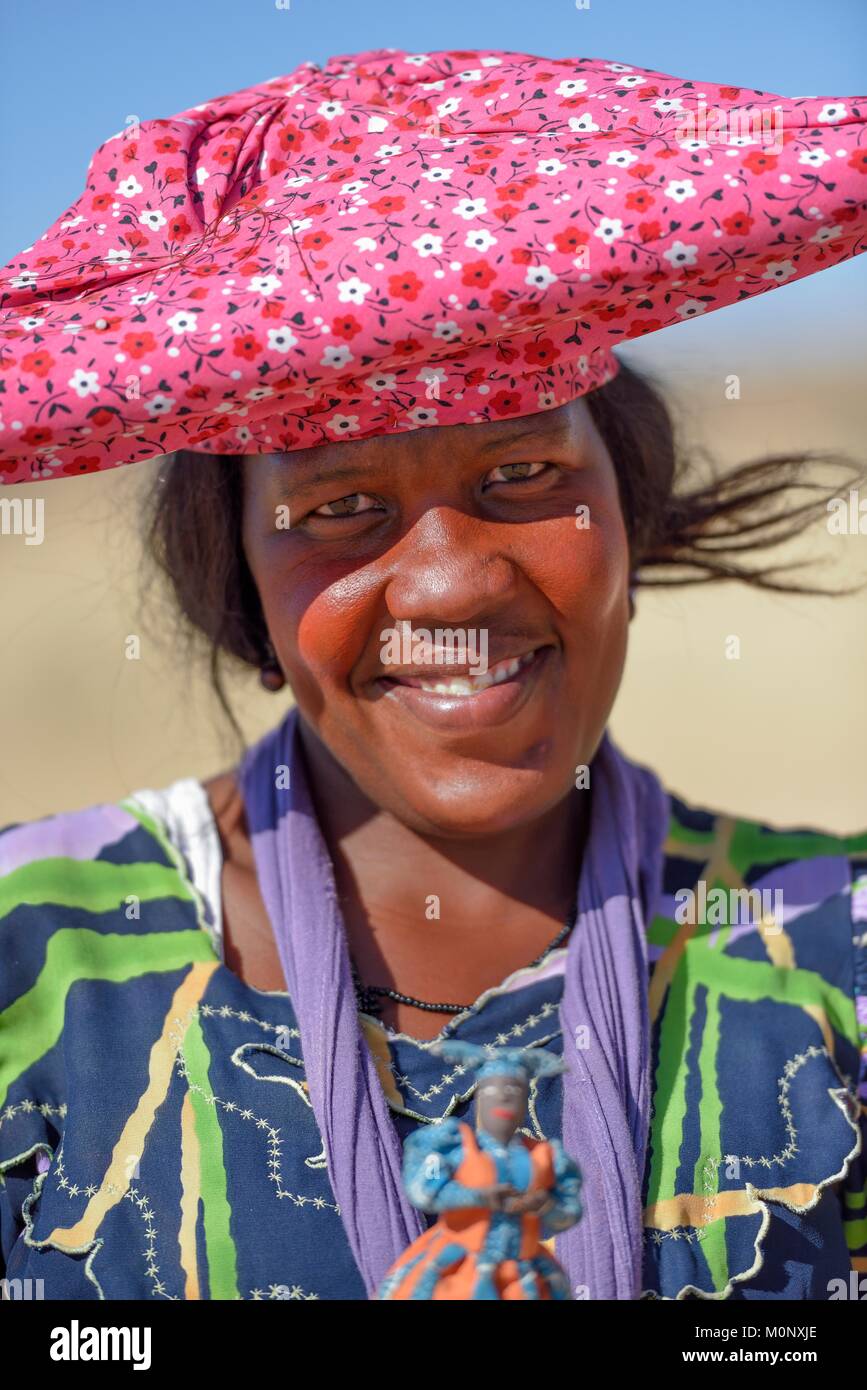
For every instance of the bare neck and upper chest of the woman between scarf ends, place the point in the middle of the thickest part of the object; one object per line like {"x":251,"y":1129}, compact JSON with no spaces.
{"x":440,"y":919}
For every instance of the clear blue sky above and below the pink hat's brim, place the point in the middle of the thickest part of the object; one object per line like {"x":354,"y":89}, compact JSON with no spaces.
{"x":74,"y":72}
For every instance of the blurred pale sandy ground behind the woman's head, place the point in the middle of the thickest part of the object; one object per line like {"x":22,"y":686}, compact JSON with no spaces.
{"x":779,"y":735}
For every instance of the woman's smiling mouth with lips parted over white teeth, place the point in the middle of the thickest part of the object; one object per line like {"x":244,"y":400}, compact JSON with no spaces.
{"x":468,"y":701}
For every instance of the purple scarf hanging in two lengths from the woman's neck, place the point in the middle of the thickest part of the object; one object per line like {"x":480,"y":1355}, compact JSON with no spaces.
{"x":606,"y":1092}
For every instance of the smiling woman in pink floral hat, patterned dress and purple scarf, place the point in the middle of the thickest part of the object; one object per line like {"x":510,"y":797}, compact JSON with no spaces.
{"x":222,"y":999}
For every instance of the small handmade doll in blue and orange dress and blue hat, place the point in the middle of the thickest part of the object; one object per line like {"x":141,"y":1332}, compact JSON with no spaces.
{"x":498,"y":1195}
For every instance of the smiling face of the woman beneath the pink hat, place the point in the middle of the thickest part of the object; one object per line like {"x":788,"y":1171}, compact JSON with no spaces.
{"x":505,"y":537}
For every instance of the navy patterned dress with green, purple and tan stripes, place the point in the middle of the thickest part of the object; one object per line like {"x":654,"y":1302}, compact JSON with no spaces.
{"x":156,"y":1134}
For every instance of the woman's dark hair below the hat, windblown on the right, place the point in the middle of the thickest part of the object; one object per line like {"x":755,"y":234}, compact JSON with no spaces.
{"x":680,"y":530}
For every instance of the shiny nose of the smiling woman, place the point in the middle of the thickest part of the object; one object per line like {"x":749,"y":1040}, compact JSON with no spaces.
{"x":449,"y":566}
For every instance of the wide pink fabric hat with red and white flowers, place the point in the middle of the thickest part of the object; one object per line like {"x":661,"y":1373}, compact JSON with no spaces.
{"x":397,"y":241}
